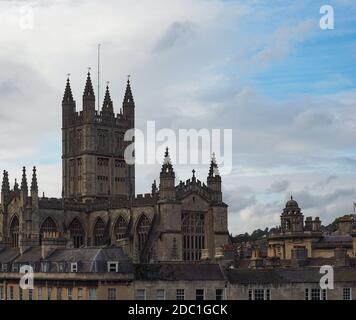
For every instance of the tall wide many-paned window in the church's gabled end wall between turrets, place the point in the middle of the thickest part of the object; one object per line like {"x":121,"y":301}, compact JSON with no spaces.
{"x":193,"y":235}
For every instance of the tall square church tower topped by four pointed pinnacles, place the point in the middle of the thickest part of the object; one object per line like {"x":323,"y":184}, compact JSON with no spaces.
{"x":93,"y":146}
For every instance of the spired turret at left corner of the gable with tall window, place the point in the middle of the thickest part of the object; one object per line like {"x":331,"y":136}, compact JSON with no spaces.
{"x":167,"y":179}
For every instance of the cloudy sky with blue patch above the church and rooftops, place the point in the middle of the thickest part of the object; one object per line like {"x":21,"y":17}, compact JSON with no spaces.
{"x":264,"y":69}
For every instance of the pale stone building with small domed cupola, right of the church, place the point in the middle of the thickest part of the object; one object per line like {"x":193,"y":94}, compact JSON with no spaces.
{"x":304,"y":239}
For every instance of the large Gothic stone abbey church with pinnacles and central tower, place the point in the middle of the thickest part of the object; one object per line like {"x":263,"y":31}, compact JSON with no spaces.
{"x":98,"y":208}
